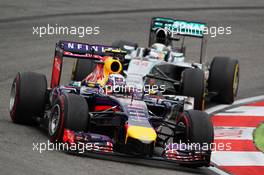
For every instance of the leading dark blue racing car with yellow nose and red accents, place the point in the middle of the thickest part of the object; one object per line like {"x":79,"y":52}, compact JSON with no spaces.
{"x":130,"y":122}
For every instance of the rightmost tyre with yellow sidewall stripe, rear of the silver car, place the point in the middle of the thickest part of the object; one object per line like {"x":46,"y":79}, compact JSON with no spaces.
{"x":224,"y":79}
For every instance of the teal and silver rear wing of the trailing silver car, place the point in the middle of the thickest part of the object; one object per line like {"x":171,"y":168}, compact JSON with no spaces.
{"x":174,"y":27}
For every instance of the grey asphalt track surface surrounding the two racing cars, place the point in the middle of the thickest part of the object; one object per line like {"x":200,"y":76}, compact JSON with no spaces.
{"x":20,"y":50}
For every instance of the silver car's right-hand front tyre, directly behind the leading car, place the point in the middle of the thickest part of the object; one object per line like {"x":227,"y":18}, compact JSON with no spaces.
{"x":193,"y":86}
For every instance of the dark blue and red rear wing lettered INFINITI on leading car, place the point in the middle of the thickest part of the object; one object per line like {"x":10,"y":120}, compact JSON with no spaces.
{"x":78,"y":51}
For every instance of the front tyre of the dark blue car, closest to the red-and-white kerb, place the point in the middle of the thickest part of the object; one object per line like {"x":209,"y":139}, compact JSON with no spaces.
{"x":198,"y":130}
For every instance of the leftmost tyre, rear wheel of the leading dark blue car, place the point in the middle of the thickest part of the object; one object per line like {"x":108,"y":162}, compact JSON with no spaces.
{"x":27,"y":97}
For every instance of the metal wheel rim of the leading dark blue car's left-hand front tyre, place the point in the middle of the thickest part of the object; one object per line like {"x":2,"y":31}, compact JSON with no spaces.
{"x":54,"y":119}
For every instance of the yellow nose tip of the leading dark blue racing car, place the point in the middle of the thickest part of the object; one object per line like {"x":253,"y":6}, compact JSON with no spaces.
{"x":144,"y":134}
